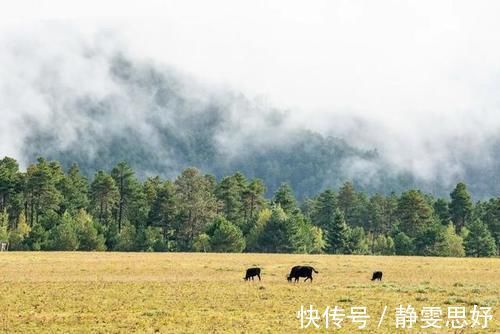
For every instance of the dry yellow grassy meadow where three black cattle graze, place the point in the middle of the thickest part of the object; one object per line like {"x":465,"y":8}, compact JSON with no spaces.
{"x":205,"y":293}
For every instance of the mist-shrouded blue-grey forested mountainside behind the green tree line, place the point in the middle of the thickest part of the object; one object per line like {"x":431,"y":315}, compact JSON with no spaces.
{"x":97,"y":105}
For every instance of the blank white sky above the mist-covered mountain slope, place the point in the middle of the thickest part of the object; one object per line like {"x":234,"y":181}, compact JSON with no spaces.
{"x":419,"y":80}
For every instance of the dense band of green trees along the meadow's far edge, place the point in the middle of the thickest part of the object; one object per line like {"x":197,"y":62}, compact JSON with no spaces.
{"x":48,"y":208}
